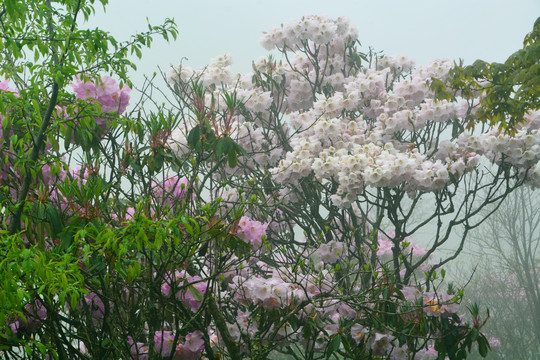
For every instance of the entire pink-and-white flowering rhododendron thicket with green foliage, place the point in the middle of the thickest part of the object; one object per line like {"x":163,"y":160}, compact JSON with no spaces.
{"x":267,"y":214}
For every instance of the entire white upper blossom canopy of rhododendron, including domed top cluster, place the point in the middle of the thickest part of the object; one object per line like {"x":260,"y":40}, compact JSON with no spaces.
{"x":379,"y":126}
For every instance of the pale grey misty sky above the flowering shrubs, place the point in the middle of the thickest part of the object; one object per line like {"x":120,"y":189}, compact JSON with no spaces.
{"x":421,"y":29}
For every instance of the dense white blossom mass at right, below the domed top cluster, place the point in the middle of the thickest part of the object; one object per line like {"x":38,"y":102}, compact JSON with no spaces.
{"x":373,"y":155}
